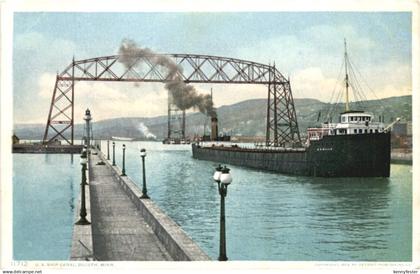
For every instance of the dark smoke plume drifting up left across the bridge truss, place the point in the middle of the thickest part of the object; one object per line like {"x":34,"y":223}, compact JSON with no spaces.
{"x":184,"y":96}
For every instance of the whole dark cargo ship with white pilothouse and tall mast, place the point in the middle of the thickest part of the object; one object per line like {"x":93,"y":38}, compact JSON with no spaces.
{"x":355,"y":146}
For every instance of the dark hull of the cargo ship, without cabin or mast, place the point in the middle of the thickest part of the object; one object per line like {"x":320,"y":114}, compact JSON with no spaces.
{"x":359,"y":155}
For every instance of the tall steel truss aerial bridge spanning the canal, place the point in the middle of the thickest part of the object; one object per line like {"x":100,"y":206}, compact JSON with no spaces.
{"x":282,"y":127}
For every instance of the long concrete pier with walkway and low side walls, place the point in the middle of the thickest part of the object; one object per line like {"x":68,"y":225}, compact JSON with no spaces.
{"x":123,"y":226}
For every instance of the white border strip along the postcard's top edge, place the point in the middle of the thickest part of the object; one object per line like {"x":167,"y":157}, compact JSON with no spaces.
{"x":215,"y":5}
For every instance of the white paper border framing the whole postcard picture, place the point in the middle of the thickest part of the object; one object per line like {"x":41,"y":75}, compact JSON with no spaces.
{"x":6,"y":99}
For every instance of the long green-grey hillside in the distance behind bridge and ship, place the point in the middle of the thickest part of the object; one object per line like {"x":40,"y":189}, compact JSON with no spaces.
{"x":246,"y":118}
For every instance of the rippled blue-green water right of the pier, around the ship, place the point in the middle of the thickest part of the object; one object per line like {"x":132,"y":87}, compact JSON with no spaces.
{"x":276,"y":217}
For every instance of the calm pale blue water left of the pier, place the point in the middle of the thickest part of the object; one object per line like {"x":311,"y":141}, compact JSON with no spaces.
{"x":45,"y":194}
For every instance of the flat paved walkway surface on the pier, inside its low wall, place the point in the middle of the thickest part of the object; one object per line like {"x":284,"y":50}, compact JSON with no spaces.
{"x":119,"y":232}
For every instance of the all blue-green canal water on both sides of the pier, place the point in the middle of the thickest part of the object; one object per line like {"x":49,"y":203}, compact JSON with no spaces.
{"x":268,"y":216}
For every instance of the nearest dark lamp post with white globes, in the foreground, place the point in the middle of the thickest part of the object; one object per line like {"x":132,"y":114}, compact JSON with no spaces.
{"x":223,"y":178}
